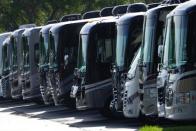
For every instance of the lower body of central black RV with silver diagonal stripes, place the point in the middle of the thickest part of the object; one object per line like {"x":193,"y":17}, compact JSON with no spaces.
{"x":94,"y":96}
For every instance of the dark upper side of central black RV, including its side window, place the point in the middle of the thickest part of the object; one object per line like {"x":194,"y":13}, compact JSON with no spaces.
{"x":101,"y":52}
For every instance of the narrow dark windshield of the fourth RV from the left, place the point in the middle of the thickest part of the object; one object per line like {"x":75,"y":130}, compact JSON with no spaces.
{"x":25,"y":52}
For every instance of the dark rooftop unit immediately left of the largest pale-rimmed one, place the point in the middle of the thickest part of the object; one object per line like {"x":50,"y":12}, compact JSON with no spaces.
{"x":119,"y":10}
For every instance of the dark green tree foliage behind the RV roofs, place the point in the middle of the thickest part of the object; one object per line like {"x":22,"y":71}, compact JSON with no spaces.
{"x":16,"y":12}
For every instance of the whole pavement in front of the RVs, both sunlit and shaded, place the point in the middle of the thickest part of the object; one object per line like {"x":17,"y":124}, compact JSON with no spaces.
{"x":22,"y":116}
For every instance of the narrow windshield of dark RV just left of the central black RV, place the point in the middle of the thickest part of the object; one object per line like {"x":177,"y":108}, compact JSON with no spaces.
{"x":53,"y":48}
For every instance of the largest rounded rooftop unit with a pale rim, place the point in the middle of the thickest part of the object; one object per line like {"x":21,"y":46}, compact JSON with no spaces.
{"x":137,"y":7}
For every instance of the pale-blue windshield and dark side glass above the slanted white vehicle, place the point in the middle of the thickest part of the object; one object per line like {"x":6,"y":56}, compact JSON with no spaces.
{"x":129,"y":39}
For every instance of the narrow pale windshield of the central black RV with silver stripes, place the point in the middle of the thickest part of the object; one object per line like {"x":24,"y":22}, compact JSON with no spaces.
{"x":82,"y":51}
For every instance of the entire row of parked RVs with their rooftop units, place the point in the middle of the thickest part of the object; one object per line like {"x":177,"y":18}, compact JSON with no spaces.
{"x":128,"y":61}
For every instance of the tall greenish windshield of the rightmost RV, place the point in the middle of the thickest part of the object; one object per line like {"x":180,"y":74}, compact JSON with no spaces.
{"x":178,"y":43}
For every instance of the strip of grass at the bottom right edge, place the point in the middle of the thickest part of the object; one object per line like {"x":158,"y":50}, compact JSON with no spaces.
{"x":174,"y":128}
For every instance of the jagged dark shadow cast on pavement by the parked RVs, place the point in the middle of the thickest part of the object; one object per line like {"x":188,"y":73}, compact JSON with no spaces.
{"x":80,"y":119}
